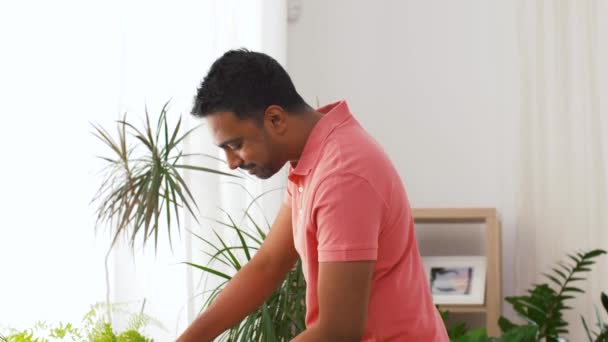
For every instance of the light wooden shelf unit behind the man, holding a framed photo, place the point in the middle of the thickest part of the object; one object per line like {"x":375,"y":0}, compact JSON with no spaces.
{"x":487,"y":216}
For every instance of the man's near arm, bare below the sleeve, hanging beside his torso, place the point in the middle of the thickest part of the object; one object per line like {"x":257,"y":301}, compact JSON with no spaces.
{"x":343,"y":294}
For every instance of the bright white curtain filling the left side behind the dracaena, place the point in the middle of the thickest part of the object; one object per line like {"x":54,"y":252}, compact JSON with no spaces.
{"x":68,"y":63}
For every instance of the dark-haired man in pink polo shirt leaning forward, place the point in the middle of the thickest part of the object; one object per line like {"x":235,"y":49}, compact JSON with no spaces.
{"x":345,"y":213}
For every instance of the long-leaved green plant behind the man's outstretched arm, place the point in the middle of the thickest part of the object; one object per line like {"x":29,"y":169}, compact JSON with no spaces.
{"x":281,"y":317}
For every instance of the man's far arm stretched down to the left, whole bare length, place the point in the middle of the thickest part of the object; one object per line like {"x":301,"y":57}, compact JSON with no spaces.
{"x":251,"y":285}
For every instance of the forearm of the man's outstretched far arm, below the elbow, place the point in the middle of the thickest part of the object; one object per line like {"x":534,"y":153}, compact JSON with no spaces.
{"x":244,"y":293}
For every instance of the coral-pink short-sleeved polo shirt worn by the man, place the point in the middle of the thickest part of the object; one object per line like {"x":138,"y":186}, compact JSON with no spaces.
{"x":348,"y":203}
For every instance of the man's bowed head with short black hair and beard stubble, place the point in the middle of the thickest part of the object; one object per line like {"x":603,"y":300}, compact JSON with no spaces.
{"x":247,"y":98}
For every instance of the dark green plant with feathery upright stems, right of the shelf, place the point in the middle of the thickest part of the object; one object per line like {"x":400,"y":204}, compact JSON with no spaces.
{"x":544,"y":305}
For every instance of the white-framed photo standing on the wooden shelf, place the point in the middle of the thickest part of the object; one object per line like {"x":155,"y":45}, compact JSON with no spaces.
{"x":456,"y":279}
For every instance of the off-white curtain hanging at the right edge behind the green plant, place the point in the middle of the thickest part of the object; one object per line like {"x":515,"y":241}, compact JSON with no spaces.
{"x":563,"y":185}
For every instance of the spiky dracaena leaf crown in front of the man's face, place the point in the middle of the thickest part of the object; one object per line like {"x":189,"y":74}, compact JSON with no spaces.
{"x":142,"y":186}
